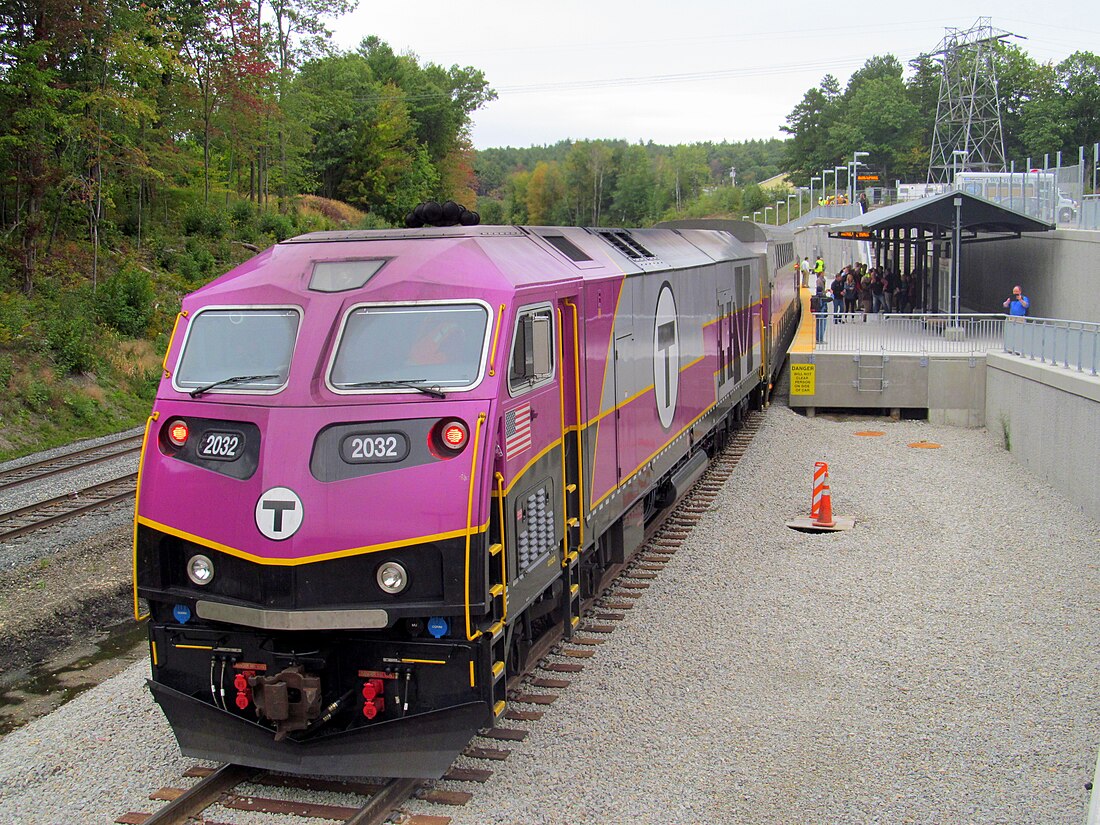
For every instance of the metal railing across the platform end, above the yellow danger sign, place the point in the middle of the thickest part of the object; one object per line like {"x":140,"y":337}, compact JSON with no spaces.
{"x":910,"y":334}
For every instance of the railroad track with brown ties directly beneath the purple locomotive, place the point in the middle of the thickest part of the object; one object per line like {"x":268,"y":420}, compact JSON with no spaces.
{"x":540,"y":686}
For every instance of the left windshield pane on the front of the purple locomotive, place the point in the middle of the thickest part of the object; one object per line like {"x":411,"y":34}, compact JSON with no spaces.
{"x":238,"y":350}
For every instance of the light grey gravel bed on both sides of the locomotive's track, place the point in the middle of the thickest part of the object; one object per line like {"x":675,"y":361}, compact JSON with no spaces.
{"x":937,"y":664}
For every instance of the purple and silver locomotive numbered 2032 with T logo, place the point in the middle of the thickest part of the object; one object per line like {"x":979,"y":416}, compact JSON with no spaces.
{"x":381,"y":465}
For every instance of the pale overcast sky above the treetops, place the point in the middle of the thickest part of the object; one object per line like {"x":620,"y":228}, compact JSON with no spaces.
{"x":681,"y":71}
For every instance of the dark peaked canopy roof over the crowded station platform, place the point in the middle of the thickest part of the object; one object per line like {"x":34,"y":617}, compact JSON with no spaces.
{"x":934,"y":218}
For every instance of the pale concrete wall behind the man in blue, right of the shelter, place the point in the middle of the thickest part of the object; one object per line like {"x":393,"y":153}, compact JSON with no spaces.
{"x":1060,"y":271}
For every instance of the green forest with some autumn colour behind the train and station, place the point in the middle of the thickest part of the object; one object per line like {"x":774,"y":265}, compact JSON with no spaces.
{"x":147,"y":148}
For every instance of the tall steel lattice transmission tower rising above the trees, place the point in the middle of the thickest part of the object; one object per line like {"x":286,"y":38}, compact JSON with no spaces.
{"x":969,"y":134}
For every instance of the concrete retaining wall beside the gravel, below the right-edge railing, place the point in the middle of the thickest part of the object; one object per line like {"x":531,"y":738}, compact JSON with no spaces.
{"x":1049,"y":417}
